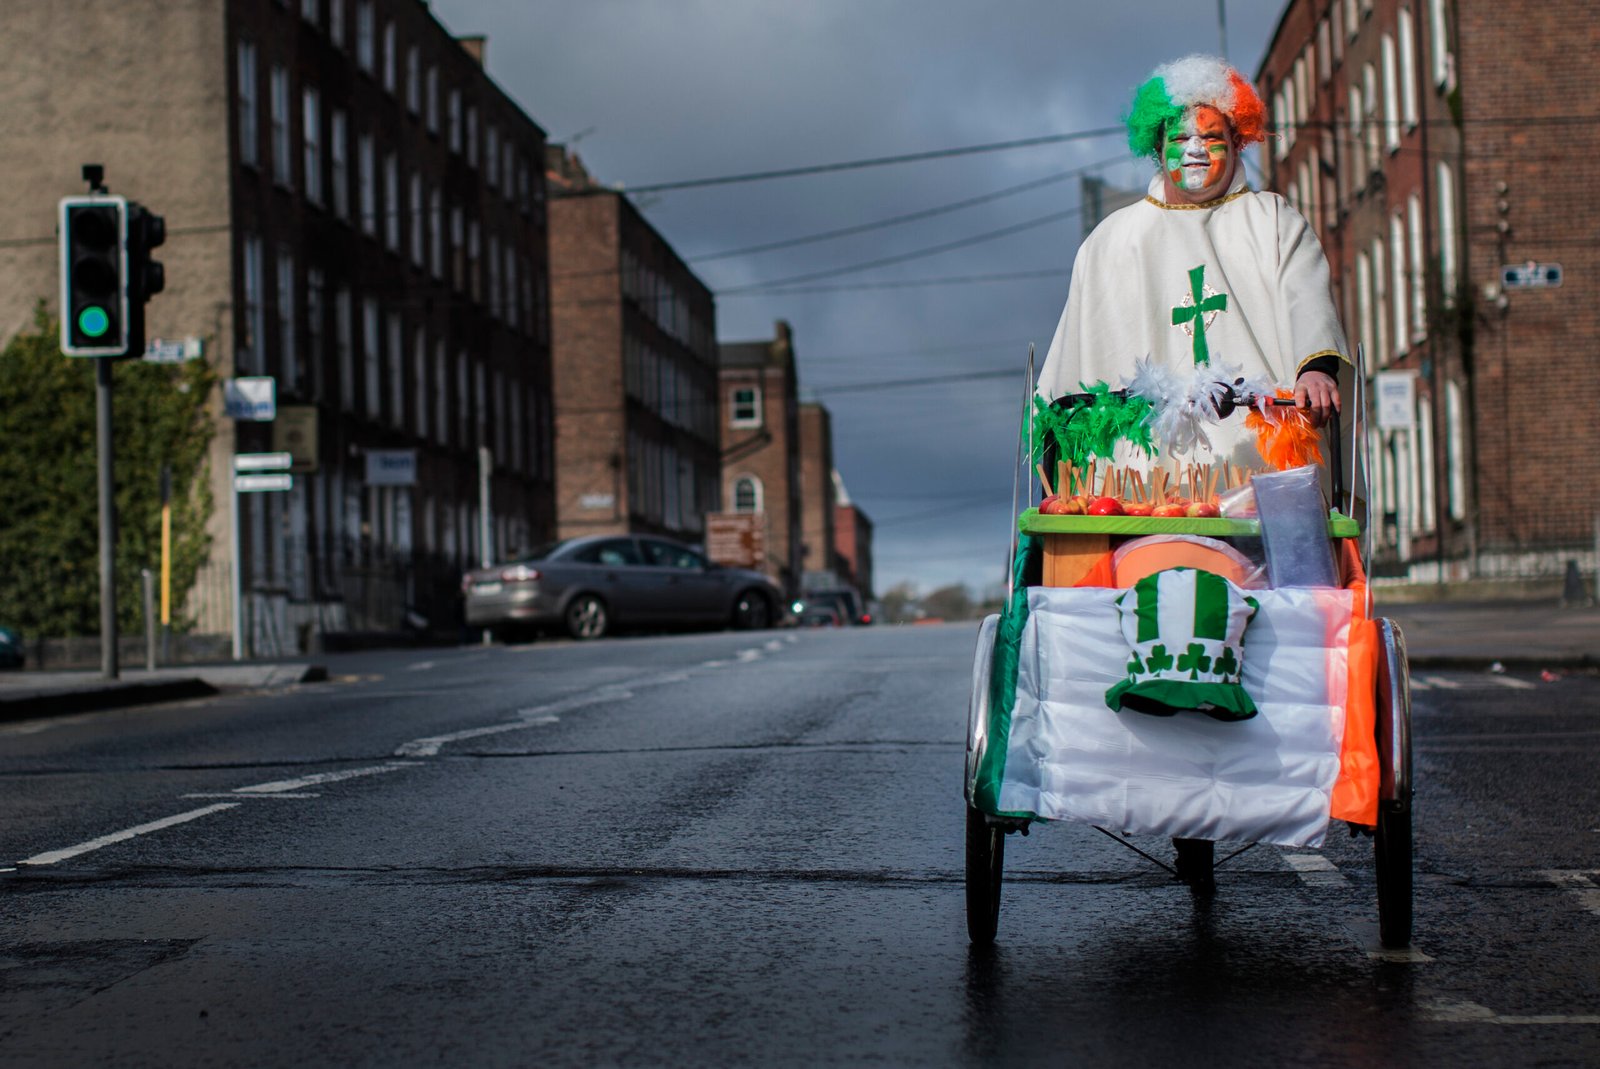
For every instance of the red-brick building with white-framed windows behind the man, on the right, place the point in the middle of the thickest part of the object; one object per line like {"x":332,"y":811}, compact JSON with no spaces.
{"x":1431,"y":145}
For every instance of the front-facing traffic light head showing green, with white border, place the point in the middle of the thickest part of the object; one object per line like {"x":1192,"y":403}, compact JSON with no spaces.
{"x":94,"y":276}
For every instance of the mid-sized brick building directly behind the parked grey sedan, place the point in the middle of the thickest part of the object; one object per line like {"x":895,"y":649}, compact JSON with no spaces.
{"x":636,"y":369}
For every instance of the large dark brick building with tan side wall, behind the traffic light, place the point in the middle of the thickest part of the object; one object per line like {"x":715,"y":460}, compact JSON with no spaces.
{"x":356,"y":210}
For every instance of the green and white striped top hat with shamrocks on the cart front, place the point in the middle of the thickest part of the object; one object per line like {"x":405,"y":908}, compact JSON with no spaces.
{"x":1188,"y":636}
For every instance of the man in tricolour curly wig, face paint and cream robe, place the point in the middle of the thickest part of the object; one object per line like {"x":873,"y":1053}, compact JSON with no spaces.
{"x":1204,"y":271}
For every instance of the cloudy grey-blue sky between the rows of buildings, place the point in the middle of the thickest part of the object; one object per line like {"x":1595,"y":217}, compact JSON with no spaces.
{"x":919,"y":361}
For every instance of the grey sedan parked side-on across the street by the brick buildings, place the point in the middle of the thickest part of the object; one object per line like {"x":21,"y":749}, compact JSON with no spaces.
{"x":598,"y":583}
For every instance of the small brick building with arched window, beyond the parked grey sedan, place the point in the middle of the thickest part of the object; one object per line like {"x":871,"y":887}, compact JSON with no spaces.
{"x":759,"y":399}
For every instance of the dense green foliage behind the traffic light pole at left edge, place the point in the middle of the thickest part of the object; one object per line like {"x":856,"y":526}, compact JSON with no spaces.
{"x":50,"y":508}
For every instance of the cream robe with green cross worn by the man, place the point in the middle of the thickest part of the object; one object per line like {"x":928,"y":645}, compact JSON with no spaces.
{"x":1135,"y":271}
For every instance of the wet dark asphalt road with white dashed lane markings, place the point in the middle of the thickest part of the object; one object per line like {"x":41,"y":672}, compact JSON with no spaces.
{"x":745,"y":851}
